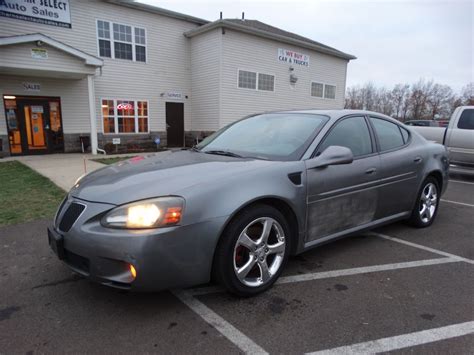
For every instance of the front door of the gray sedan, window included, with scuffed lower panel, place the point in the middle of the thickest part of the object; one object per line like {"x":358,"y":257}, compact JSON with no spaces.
{"x":343,"y":197}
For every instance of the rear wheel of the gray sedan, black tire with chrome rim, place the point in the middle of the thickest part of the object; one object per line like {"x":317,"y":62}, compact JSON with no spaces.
{"x":427,"y":203}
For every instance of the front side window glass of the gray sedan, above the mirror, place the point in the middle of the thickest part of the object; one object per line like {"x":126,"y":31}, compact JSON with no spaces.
{"x":351,"y":132}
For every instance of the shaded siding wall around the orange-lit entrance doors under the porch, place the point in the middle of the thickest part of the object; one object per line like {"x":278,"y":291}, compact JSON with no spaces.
{"x":74,"y":100}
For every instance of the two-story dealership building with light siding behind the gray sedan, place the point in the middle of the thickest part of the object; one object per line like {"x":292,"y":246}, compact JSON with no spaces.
{"x":116,"y":73}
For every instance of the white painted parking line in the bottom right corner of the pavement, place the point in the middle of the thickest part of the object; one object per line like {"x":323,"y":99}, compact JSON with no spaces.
{"x":403,"y":341}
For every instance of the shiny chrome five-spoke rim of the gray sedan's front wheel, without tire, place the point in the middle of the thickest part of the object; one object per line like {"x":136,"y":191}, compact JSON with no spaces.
{"x":259,"y":251}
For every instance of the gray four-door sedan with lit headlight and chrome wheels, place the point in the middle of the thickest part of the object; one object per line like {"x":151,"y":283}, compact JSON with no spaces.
{"x":237,"y":205}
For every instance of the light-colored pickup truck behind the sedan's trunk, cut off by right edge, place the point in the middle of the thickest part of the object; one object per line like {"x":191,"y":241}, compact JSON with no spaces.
{"x":458,"y":137}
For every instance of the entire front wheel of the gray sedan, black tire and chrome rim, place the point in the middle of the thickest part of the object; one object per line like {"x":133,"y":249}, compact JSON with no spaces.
{"x":255,"y":245}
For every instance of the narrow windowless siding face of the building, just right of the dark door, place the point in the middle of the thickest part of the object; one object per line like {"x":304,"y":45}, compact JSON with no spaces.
{"x":205,"y":79}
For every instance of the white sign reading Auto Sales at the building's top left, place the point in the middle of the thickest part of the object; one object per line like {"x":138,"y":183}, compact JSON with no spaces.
{"x":48,"y":12}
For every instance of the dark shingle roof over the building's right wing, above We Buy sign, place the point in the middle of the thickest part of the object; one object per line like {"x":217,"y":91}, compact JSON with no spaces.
{"x":259,"y":28}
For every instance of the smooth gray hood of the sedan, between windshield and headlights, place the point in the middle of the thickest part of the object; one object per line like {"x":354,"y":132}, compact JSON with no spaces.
{"x":159,"y":174}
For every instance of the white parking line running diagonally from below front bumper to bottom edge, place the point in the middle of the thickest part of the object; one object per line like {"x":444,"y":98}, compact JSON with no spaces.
{"x":242,"y":341}
